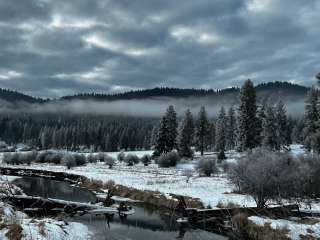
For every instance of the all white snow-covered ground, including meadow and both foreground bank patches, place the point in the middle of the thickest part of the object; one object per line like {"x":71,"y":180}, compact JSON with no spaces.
{"x":210,"y":190}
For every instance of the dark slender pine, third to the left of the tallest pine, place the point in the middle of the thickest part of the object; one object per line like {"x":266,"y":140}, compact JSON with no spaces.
{"x":202,"y":129}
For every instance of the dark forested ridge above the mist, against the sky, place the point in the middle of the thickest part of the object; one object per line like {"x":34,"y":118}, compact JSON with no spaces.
{"x":271,"y":90}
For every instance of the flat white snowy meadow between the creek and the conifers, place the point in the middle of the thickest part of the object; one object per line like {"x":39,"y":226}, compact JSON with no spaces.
{"x":210,"y":190}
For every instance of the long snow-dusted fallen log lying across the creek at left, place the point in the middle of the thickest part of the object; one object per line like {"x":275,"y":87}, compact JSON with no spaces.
{"x":53,"y":206}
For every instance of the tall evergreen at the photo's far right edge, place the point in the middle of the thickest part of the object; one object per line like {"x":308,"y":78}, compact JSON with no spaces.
{"x":311,"y":117}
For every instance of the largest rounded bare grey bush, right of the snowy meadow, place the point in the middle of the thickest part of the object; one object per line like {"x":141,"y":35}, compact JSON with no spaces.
{"x":267,"y":175}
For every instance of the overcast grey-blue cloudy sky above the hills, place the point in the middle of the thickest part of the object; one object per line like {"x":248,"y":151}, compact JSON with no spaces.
{"x":51,"y":48}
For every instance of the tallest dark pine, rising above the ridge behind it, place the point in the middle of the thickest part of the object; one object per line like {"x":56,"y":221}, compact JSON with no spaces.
{"x":248,"y":121}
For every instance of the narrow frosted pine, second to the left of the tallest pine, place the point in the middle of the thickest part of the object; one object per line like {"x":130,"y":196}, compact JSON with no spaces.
{"x":221,"y":131}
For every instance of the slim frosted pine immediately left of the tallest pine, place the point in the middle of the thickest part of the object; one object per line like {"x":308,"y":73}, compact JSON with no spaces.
{"x":231,"y":129}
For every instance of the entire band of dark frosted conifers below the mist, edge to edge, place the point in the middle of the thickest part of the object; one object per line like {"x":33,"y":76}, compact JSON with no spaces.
{"x":246,"y":127}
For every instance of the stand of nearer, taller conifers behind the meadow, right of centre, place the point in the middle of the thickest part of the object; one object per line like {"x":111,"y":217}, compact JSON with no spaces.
{"x":248,"y":127}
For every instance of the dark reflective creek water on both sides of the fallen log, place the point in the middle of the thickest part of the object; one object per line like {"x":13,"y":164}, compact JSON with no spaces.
{"x":146,"y":224}
